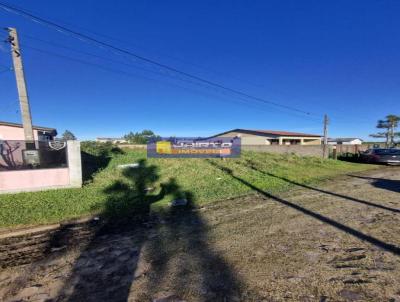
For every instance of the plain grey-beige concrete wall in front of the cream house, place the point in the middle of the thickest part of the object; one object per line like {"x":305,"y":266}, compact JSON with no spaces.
{"x":302,"y":150}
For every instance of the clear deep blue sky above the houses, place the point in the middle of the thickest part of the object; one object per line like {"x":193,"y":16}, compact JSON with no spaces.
{"x":339,"y":58}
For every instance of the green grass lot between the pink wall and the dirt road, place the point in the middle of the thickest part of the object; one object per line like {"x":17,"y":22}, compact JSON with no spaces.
{"x":156,"y":182}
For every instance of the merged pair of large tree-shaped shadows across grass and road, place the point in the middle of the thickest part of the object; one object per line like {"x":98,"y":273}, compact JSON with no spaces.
{"x":177,"y":251}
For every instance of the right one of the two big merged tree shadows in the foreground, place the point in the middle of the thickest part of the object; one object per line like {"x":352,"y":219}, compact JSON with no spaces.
{"x":184,"y":262}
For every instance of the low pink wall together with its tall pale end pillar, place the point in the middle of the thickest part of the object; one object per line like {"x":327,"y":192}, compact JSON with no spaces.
{"x":44,"y":179}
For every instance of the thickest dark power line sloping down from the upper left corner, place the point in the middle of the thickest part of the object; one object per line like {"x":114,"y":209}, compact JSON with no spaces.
{"x":101,"y":44}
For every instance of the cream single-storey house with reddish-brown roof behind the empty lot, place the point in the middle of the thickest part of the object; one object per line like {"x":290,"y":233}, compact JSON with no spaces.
{"x":272,"y":137}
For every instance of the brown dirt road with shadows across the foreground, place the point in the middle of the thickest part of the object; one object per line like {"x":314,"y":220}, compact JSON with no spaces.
{"x":339,"y":241}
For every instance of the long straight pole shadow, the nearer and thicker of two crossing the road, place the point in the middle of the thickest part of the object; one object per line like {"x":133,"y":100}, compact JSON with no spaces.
{"x":364,"y":237}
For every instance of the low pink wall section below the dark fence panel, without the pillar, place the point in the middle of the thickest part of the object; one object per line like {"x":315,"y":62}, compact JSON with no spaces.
{"x":33,"y":179}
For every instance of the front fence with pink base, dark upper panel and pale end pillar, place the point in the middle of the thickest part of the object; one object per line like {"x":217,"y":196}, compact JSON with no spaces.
{"x":30,"y":166}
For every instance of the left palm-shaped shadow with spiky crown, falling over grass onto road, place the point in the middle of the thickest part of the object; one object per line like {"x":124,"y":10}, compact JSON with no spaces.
{"x":105,"y":268}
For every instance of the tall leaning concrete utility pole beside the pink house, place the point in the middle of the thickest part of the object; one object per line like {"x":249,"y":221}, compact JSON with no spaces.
{"x":21,"y":86}
